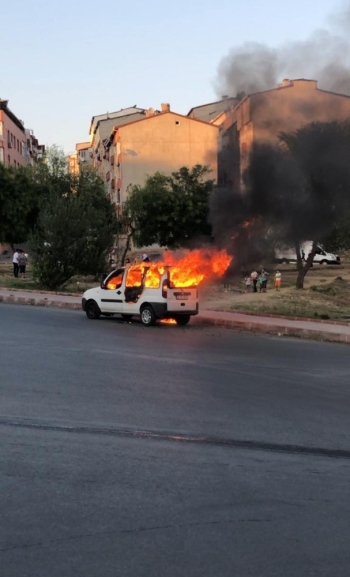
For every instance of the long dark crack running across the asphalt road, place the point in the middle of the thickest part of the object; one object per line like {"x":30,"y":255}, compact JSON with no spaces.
{"x":172,"y":436}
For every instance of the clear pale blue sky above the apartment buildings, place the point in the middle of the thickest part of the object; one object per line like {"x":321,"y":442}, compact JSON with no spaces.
{"x":64,"y":62}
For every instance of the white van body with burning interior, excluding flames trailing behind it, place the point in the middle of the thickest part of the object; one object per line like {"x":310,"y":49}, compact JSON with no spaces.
{"x":141,"y":291}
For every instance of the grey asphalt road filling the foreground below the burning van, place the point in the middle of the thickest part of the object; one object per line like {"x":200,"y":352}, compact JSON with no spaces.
{"x":133,"y":451}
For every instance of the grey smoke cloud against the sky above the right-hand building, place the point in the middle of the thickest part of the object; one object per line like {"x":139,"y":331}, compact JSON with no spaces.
{"x":325,"y":57}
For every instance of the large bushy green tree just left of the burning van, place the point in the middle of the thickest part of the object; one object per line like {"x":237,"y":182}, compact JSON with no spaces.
{"x":74,"y":231}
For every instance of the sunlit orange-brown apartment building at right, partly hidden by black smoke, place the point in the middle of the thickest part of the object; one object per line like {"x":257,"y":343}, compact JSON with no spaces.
{"x":262,"y":116}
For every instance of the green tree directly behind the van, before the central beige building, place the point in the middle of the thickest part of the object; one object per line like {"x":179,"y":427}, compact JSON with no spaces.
{"x":170,"y":210}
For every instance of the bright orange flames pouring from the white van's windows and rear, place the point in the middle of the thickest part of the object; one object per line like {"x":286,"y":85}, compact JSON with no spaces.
{"x":189,"y":270}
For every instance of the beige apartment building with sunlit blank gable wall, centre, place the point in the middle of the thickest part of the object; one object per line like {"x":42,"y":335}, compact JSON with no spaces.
{"x":161,"y":141}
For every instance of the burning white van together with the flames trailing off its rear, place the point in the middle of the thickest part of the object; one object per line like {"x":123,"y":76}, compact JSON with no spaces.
{"x":160,"y":290}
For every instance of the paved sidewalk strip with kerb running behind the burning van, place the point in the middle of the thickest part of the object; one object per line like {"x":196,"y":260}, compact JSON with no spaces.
{"x":278,"y":326}
